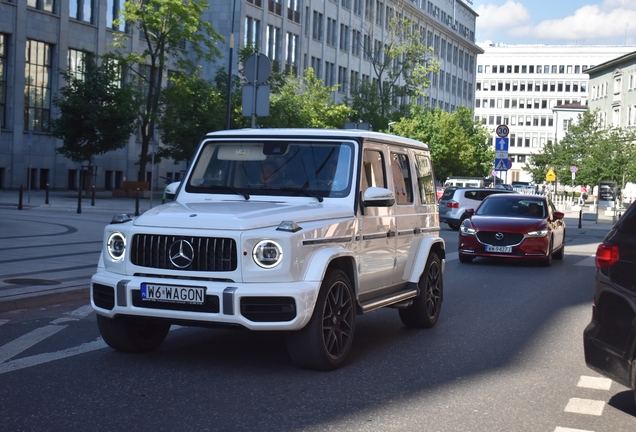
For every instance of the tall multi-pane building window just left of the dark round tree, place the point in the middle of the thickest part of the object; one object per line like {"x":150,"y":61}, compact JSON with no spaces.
{"x":37,"y":88}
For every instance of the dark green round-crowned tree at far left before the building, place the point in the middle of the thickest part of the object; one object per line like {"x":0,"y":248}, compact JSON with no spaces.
{"x":97,"y":114}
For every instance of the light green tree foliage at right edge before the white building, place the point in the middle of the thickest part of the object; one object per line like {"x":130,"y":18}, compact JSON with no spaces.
{"x":601,"y":153}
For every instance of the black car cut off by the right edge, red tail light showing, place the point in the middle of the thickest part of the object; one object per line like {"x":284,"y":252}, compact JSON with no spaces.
{"x":610,"y":339}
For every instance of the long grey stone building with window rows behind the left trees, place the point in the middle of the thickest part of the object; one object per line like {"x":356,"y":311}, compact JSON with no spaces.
{"x":40,"y":37}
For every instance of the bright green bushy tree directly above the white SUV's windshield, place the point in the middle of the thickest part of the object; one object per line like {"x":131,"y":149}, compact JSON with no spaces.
{"x":305,"y":103}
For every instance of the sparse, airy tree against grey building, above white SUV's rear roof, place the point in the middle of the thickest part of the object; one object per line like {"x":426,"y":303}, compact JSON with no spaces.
{"x":402,"y":64}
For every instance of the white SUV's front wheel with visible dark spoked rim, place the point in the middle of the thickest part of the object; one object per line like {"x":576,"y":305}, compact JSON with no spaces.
{"x":323,"y":344}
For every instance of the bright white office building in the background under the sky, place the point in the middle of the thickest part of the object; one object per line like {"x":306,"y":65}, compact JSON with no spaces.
{"x":521,"y":85}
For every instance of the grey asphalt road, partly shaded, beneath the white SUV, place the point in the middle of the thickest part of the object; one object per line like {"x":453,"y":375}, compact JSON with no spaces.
{"x":506,"y":355}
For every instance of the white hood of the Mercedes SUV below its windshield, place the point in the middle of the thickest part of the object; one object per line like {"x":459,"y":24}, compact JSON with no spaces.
{"x":238,"y":215}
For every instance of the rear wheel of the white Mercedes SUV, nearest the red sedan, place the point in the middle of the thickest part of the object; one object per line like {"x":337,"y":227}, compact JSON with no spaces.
{"x":425,"y":310}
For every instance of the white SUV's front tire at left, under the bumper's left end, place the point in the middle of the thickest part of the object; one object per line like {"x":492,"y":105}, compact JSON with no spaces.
{"x":132,"y":335}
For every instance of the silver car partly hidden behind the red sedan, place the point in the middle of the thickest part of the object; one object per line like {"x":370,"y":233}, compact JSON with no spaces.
{"x":455,"y":201}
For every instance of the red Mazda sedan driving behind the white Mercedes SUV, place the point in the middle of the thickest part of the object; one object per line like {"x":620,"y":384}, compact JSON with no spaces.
{"x":513,"y":226}
